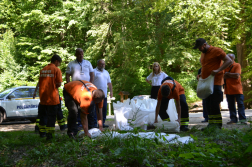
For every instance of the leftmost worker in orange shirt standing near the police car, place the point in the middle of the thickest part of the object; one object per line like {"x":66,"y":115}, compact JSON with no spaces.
{"x":49,"y":80}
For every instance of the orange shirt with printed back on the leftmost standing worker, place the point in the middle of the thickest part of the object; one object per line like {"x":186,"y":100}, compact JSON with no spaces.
{"x":48,"y":92}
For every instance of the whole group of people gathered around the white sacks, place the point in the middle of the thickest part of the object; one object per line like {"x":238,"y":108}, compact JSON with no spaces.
{"x":85,"y":92}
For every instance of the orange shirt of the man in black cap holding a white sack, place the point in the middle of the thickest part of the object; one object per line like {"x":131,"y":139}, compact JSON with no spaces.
{"x":212,"y":60}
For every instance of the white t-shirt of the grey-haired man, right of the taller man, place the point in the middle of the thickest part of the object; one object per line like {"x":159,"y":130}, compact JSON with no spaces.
{"x":101,"y":80}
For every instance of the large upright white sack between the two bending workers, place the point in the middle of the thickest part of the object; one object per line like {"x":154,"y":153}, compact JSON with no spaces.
{"x":139,"y":113}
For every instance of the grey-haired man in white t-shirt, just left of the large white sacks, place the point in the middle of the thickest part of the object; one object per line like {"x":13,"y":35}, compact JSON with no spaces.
{"x":101,"y":81}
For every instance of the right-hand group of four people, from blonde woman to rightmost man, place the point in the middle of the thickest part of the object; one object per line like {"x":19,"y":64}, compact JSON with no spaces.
{"x":226,"y":73}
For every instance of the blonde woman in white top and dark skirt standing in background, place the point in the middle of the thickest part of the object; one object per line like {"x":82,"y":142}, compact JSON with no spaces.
{"x":155,"y":78}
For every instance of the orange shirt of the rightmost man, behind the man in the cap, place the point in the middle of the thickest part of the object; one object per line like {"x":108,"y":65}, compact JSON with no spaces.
{"x":233,"y":86}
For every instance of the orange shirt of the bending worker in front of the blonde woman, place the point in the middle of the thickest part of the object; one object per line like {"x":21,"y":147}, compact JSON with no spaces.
{"x":178,"y":90}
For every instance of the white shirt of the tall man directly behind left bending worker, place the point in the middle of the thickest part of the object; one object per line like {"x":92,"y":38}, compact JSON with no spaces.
{"x":79,"y":71}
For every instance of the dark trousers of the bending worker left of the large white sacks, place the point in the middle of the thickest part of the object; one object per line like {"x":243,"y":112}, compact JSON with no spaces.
{"x":73,"y":111}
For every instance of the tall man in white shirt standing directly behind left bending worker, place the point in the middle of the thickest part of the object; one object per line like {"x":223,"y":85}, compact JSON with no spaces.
{"x":81,"y":69}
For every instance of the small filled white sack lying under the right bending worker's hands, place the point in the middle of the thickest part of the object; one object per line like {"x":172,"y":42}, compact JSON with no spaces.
{"x":169,"y":126}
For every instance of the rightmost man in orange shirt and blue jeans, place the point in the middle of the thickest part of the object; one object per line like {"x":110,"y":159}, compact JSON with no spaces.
{"x":233,"y":91}
